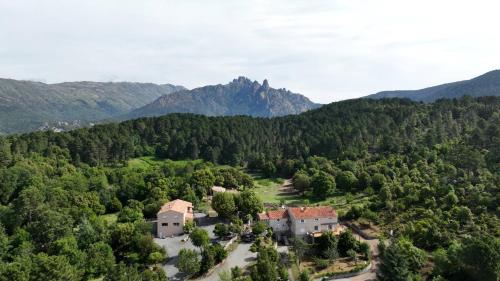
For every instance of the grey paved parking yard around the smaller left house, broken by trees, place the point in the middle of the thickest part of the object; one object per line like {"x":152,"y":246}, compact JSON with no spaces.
{"x":174,"y":244}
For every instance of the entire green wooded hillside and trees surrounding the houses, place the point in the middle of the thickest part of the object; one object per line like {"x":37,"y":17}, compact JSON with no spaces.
{"x":72,"y":204}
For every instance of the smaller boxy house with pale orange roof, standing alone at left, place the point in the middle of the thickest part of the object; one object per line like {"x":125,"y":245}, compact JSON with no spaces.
{"x":172,"y":217}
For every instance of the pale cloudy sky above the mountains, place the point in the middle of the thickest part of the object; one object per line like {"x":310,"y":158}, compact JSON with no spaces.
{"x":327,"y":50}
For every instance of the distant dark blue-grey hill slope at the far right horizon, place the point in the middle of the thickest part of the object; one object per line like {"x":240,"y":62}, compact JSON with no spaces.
{"x":487,"y":84}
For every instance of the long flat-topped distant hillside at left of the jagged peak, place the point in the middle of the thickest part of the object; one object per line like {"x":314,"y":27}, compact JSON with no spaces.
{"x":27,"y":106}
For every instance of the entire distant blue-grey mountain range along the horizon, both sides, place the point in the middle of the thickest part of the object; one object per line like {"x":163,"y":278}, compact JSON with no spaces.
{"x":29,"y":106}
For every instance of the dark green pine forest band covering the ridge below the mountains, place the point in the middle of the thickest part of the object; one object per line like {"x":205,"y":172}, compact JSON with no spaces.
{"x":347,"y":129}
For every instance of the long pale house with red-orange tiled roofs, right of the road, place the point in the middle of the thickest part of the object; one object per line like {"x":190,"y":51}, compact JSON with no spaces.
{"x":301,"y":221}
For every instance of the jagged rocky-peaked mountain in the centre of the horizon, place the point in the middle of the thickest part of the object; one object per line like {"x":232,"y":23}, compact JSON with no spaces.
{"x":239,"y":97}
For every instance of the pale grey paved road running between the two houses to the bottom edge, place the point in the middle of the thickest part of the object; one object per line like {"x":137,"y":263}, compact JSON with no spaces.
{"x":241,"y":257}
